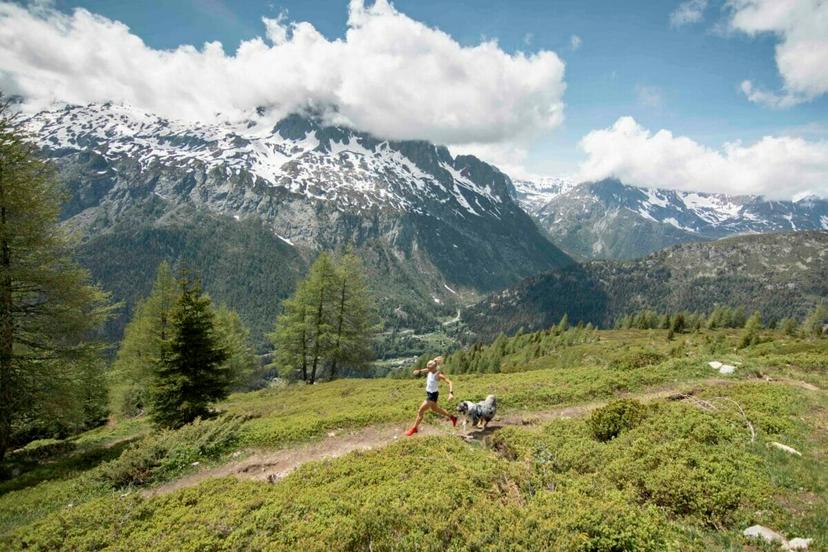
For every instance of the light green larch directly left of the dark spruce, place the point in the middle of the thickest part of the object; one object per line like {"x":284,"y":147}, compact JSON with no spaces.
{"x":146,"y":338}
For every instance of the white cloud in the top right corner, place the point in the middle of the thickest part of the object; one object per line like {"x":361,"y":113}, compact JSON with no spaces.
{"x":801,"y":54}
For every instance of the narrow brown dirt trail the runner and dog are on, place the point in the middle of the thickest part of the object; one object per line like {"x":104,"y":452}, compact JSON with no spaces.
{"x":272,"y":465}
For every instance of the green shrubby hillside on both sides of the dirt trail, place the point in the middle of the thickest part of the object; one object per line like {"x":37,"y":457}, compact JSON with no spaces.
{"x":553,"y":483}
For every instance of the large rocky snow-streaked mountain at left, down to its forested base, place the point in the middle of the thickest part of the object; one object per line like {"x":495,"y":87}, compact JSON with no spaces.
{"x":431,"y":227}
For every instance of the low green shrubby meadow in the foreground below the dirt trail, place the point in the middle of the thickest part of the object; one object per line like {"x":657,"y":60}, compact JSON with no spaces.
{"x":682,"y":479}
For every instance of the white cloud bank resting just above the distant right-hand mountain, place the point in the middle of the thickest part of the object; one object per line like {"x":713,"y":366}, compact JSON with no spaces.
{"x":777,"y":167}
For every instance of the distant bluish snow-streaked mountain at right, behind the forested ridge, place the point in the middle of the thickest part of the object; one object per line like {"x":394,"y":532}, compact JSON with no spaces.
{"x":612,"y":220}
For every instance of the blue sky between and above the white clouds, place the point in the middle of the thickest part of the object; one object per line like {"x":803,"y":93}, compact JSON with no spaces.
{"x":630,"y":62}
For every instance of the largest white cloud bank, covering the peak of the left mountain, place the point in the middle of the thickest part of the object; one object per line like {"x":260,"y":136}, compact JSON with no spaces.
{"x":390,"y":75}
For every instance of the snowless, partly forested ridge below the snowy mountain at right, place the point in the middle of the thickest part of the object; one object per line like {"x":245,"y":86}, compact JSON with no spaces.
{"x":779,"y":274}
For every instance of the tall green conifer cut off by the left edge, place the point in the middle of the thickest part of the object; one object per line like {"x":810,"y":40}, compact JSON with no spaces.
{"x":48,"y":309}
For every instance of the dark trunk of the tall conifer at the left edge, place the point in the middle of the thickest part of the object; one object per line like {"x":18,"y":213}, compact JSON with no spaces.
{"x":6,"y":330}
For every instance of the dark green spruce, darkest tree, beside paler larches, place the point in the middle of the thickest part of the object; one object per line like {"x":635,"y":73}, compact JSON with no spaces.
{"x":193,"y":372}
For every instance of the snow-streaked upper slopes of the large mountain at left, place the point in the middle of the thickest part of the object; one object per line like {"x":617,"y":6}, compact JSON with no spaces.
{"x":351,"y":170}
